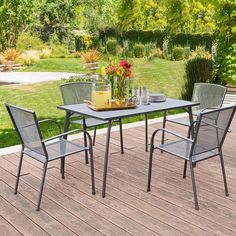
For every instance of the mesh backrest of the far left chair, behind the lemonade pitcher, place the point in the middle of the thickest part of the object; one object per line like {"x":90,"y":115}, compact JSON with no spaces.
{"x":76,"y":92}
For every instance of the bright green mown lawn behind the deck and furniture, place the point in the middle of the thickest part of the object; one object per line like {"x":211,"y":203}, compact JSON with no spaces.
{"x":158,"y":75}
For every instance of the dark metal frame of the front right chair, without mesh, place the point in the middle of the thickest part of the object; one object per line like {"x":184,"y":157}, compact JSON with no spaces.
{"x":193,"y":142}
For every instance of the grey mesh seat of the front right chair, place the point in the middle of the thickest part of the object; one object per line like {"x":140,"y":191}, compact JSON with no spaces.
{"x":182,"y":148}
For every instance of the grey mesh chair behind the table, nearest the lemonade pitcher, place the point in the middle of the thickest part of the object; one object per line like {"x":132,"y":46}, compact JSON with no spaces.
{"x":77,"y":92}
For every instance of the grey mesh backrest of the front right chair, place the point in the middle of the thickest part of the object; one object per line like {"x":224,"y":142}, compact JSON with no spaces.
{"x":212,"y":127}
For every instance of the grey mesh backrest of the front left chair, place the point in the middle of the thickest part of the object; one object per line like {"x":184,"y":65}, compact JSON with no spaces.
{"x":26,"y":125}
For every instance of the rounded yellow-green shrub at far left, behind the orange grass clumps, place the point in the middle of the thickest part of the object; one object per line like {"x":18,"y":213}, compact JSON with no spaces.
{"x":27,"y":41}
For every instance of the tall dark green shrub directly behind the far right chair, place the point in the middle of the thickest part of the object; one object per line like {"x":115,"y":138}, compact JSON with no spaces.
{"x":198,"y":70}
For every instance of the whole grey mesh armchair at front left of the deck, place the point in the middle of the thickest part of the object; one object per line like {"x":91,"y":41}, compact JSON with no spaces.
{"x":44,"y":151}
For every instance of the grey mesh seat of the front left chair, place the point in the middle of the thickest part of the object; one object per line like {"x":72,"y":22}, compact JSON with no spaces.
{"x":56,"y":150}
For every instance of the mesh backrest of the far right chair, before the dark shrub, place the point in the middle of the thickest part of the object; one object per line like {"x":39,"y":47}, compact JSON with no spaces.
{"x":208,"y":95}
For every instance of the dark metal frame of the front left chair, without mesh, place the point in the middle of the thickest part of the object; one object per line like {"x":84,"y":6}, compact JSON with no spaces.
{"x":44,"y":142}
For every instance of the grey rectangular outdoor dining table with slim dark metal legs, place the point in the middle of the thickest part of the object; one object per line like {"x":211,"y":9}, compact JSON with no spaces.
{"x":109,"y":116}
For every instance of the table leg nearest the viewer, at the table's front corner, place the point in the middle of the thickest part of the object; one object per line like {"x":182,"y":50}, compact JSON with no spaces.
{"x":106,"y":159}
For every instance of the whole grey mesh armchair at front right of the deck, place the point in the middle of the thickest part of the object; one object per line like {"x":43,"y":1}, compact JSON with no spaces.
{"x":211,"y":128}
